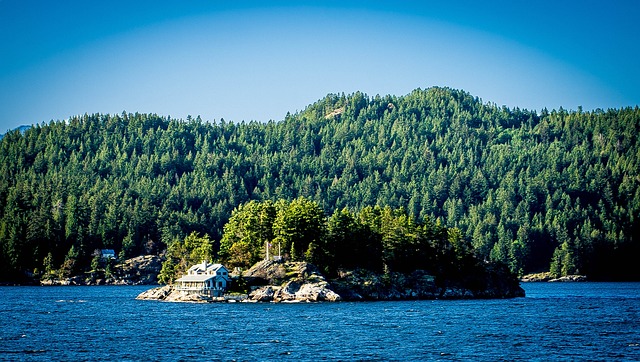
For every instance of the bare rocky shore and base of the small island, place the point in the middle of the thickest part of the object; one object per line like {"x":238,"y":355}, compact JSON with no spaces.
{"x":275,"y":281}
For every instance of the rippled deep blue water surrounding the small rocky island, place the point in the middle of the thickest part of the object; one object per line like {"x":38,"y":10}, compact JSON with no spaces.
{"x":573,"y":321}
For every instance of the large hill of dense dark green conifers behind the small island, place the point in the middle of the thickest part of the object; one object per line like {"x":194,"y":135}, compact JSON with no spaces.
{"x":552,"y":190}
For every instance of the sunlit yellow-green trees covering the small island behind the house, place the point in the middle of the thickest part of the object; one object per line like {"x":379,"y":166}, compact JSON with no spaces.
{"x":380,"y":239}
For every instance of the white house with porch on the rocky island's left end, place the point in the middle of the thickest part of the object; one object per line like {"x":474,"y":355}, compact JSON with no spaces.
{"x":204,"y":278}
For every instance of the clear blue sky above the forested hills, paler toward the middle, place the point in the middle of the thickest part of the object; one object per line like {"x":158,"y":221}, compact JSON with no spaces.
{"x":257,"y":60}
